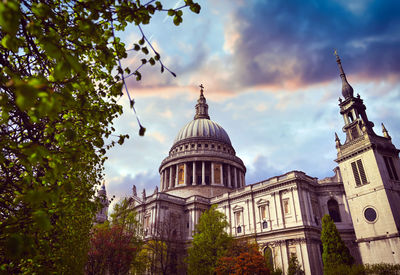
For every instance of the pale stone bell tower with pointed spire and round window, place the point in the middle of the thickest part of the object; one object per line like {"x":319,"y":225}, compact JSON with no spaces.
{"x":370,"y":168}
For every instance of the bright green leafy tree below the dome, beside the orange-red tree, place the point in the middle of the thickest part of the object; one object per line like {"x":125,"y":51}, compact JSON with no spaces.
{"x":209,"y":243}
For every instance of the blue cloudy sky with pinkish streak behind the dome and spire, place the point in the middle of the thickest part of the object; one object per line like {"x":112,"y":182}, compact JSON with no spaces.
{"x":271,"y":81}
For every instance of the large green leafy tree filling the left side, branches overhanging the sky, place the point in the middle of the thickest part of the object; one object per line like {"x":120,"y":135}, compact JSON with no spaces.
{"x":60,"y":77}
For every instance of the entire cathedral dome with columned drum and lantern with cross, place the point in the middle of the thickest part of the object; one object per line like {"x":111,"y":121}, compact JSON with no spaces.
{"x":202,"y":155}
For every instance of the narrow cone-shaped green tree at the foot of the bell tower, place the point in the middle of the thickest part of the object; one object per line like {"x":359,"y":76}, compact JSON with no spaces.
{"x":335,"y":253}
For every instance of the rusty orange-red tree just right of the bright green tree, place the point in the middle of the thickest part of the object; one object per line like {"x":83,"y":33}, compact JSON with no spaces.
{"x":242,"y":258}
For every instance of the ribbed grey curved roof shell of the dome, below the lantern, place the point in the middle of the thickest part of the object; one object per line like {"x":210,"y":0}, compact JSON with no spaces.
{"x":203,"y":128}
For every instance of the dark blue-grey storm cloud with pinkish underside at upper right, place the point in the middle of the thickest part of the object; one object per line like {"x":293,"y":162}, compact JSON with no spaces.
{"x":304,"y":34}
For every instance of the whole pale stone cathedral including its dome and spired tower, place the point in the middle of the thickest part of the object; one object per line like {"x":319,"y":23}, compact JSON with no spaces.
{"x":282,"y":214}
